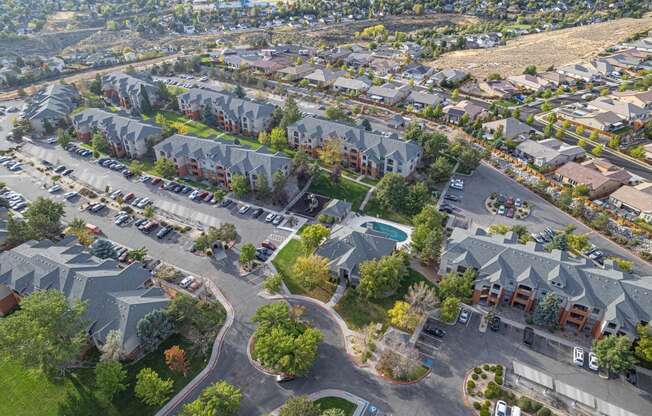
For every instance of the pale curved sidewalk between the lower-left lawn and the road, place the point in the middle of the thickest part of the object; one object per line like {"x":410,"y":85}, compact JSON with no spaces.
{"x":174,"y":403}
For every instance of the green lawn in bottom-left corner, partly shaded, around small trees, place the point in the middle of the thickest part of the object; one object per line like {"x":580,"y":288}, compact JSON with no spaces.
{"x":30,"y":393}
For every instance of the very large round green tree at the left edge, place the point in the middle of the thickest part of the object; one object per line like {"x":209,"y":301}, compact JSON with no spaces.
{"x":46,"y":333}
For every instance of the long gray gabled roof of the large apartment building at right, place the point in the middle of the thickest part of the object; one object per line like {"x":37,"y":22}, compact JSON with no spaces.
{"x":501,"y":259}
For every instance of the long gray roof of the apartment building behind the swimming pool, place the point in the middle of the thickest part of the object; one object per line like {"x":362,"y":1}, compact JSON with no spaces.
{"x":375,"y":146}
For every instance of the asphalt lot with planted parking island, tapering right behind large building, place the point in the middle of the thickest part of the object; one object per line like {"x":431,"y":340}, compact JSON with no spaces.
{"x":486,"y":180}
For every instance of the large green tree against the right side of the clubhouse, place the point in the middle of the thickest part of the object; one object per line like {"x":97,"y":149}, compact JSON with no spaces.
{"x":382,"y":276}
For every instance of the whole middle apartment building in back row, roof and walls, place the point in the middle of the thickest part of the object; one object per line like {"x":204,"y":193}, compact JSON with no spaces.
{"x":229,"y":112}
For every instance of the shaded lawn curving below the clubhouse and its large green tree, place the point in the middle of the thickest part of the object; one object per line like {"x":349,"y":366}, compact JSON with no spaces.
{"x":359,"y":312}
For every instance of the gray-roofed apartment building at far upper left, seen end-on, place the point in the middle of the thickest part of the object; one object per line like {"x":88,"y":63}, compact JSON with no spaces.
{"x":49,"y":108}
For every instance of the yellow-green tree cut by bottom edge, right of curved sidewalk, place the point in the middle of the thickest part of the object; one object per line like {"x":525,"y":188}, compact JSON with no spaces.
{"x":219,"y":398}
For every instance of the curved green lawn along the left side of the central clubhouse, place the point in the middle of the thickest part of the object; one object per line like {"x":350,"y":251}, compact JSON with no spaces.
{"x":284,"y":261}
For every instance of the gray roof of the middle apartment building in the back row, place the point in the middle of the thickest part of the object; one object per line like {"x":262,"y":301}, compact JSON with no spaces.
{"x":233,"y":106}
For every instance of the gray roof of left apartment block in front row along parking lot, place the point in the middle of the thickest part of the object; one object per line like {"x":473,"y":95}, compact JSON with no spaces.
{"x":116,"y":126}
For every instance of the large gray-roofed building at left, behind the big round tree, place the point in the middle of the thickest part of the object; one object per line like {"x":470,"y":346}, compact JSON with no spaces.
{"x":116,"y":298}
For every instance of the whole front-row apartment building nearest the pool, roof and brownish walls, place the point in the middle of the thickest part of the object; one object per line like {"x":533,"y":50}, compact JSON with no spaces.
{"x":218,"y":161}
